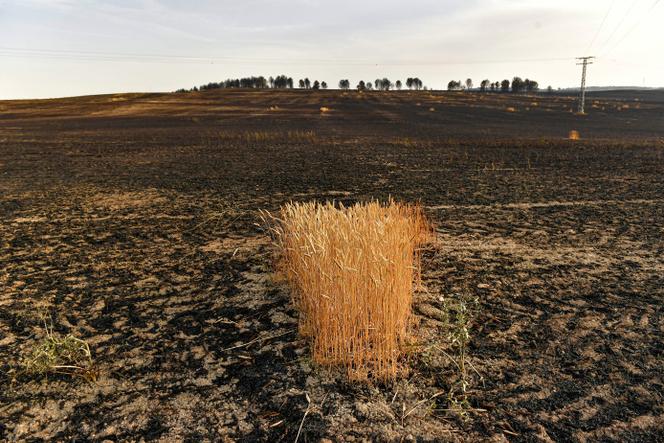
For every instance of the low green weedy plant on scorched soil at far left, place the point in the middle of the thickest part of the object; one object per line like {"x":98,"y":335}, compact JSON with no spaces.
{"x":55,"y":355}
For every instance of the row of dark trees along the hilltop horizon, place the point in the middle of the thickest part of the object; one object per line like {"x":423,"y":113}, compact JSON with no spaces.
{"x":413,"y":83}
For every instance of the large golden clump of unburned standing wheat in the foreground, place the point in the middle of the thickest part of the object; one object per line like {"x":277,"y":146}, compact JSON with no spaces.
{"x":353,"y":271}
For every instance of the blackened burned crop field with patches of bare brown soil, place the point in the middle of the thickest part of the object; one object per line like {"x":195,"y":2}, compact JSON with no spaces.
{"x":131,"y":222}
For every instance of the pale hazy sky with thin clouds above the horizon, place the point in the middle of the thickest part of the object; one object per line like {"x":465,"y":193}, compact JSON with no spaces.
{"x":51,"y":48}
